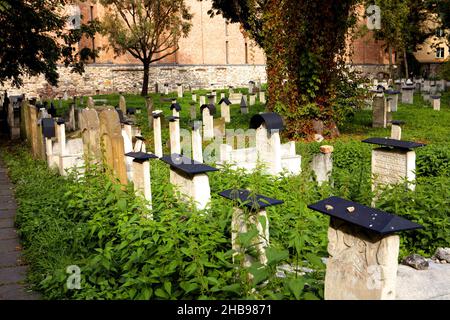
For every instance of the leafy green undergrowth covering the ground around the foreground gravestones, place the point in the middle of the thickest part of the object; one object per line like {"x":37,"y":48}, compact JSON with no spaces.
{"x":183,"y":253}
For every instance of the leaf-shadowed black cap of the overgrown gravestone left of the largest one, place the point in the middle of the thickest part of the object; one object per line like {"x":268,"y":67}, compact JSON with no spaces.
{"x":250,"y":200}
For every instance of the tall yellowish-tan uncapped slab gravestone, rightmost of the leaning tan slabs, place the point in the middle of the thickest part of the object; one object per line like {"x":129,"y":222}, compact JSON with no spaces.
{"x":112,"y":144}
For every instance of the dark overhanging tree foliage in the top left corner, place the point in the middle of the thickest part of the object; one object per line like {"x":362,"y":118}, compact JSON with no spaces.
{"x":33,"y":40}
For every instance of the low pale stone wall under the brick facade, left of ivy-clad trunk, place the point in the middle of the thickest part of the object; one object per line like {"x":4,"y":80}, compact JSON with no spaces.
{"x":108,"y":78}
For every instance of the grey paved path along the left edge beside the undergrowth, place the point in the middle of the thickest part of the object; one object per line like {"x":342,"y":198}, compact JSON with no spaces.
{"x":12,"y":268}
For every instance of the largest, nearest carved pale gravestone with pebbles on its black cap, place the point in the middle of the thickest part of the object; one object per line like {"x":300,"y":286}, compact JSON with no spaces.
{"x":363,"y":250}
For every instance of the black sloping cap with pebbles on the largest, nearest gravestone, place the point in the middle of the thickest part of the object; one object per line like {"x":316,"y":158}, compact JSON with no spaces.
{"x":368,"y":218}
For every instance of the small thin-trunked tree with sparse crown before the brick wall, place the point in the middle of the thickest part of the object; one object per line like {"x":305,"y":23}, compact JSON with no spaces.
{"x":148,"y":30}
